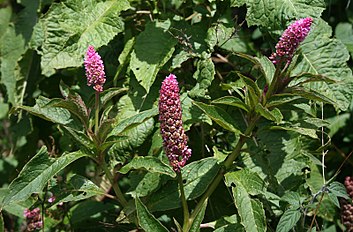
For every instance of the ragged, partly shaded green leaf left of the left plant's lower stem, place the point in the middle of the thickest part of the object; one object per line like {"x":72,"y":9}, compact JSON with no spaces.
{"x":76,"y":188}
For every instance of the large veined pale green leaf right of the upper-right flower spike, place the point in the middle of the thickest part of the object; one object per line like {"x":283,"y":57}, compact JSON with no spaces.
{"x":326,"y":56}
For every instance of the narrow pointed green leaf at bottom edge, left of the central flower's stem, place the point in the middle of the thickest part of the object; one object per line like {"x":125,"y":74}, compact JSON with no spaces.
{"x":146,"y":220}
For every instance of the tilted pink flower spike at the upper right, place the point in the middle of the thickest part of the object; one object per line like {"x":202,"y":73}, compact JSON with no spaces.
{"x":290,"y":40}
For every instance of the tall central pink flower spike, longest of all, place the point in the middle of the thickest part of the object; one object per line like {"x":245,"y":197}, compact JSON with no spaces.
{"x":170,"y":117}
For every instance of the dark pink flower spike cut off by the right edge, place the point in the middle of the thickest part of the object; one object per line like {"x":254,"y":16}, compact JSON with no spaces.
{"x":346,"y":207}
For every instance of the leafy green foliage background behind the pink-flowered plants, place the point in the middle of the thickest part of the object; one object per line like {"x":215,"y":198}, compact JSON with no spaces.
{"x":42,"y":44}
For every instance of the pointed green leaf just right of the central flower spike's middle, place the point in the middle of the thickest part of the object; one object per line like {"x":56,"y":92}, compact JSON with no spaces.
{"x":220,"y":116}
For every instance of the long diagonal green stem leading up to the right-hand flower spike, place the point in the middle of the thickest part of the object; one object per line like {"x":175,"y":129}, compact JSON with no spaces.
{"x":226,"y":165}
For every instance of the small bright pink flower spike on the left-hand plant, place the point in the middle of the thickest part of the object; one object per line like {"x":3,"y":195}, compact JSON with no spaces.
{"x":94,"y":69}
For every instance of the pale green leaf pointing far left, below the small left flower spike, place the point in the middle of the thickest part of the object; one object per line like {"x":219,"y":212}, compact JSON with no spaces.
{"x":52,"y":114}
